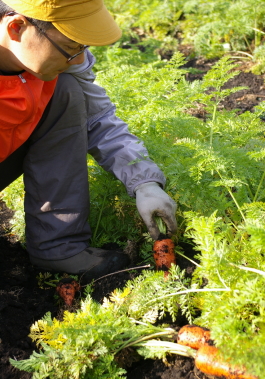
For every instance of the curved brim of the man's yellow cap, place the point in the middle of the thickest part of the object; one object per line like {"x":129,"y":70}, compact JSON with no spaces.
{"x":98,"y":29}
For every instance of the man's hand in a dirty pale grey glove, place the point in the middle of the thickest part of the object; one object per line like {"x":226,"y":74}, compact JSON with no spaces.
{"x":152,"y":201}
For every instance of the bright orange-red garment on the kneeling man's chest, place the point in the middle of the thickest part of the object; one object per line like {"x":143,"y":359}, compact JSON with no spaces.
{"x":23,"y":99}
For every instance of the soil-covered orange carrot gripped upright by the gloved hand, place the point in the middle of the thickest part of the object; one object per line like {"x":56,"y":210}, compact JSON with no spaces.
{"x":164,"y":254}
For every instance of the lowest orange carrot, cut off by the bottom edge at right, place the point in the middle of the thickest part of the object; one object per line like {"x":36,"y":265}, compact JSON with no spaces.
{"x":209,"y":362}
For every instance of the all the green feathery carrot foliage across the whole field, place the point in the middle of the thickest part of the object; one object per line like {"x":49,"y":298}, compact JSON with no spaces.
{"x":213,"y":160}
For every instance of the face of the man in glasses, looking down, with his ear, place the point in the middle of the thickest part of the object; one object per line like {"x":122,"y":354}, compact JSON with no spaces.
{"x":36,"y":54}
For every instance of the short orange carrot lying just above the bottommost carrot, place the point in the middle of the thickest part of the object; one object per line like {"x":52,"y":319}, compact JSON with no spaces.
{"x":193,"y":336}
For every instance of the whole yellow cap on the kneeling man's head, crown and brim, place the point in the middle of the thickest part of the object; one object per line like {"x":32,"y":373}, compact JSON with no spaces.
{"x":87,"y":22}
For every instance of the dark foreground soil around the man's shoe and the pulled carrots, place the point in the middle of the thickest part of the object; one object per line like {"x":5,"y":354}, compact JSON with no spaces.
{"x":23,"y":302}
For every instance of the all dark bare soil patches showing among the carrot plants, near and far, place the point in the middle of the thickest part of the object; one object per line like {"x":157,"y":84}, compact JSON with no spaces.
{"x":23,"y":301}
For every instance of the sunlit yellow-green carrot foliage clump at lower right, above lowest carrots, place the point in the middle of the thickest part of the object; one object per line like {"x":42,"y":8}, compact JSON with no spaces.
{"x":233,"y":258}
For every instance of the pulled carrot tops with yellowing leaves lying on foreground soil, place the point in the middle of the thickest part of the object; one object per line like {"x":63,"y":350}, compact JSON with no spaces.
{"x":90,"y":342}
